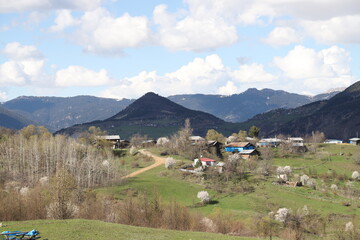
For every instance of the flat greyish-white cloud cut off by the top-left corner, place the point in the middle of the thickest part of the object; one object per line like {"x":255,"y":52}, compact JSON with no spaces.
{"x":7,"y":6}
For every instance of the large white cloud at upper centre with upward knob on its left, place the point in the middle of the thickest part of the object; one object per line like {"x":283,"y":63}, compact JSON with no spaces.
{"x":191,"y":33}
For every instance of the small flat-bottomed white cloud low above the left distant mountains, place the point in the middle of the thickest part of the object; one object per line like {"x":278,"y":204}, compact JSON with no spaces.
{"x":80,"y":76}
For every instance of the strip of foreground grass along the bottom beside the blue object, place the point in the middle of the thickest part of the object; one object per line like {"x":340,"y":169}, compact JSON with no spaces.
{"x":80,"y":229}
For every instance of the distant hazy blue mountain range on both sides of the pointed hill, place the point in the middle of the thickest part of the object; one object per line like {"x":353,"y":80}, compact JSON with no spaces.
{"x":61,"y":112}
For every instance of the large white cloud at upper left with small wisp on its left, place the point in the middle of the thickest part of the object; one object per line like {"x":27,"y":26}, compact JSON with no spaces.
{"x":99,"y":32}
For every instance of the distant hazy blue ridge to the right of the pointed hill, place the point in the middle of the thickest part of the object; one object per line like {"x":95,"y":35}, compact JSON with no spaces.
{"x":240,"y":107}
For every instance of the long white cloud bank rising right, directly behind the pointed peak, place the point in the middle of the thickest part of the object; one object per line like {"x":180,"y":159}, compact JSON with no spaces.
{"x":202,"y":75}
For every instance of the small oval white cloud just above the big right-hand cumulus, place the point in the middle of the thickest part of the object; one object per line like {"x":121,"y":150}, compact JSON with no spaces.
{"x":281,"y":36}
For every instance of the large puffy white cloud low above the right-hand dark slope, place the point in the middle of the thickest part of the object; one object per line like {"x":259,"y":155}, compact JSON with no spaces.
{"x":316,"y":70}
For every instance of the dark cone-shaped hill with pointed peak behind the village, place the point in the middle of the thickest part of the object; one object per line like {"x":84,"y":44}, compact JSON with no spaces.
{"x":155,"y":116}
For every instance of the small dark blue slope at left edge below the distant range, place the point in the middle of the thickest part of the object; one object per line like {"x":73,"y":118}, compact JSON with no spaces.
{"x":10,"y":119}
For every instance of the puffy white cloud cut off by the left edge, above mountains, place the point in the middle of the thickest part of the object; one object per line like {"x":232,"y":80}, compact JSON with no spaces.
{"x":25,"y":64}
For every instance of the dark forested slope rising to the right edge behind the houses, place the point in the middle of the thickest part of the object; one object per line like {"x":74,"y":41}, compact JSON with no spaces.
{"x":338,"y":117}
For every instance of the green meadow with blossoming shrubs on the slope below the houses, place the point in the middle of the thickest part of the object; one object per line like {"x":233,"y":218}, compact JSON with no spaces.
{"x":266,"y":197}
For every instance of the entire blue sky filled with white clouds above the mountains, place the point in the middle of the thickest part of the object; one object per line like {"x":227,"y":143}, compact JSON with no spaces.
{"x":123,"y":49}
